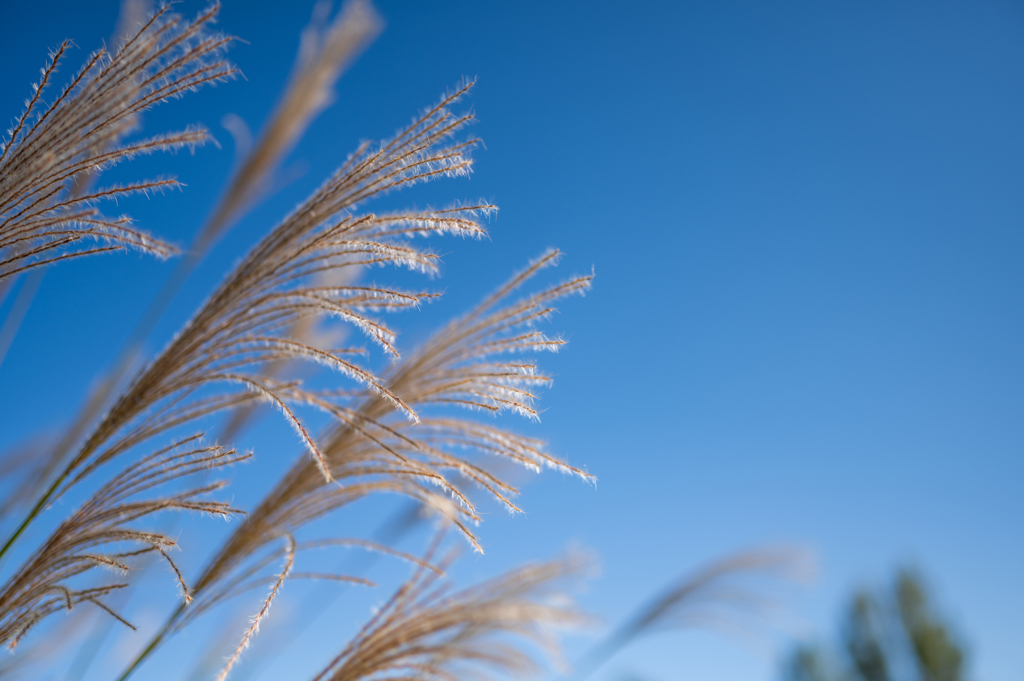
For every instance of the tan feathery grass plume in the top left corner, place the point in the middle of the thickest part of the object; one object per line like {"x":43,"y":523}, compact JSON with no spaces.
{"x":51,"y":150}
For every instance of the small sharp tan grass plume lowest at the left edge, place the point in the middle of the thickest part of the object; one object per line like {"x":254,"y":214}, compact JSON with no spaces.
{"x":103,"y":534}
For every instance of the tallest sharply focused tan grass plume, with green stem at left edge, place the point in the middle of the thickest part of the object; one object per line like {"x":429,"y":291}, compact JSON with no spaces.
{"x":238,"y":329}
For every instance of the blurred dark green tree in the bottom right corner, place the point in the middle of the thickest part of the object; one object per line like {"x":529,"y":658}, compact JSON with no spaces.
{"x":891,"y":635}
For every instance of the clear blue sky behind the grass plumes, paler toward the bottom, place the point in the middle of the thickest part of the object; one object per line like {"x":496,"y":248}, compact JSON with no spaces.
{"x":807,"y":225}
